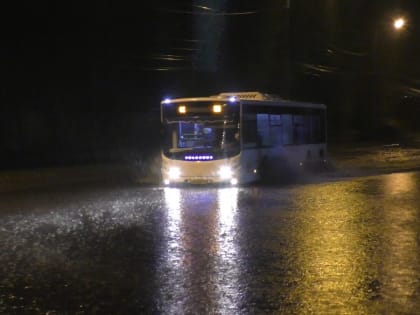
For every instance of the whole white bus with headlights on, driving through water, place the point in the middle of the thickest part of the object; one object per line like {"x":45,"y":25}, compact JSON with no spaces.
{"x":239,"y":138}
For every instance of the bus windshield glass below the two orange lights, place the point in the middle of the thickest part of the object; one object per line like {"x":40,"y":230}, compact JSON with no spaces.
{"x":216,"y":137}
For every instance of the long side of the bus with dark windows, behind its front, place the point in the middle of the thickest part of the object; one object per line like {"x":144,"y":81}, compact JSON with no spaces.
{"x":282,"y":139}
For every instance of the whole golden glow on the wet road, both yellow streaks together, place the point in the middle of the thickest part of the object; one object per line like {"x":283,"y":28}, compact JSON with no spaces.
{"x":357,"y":246}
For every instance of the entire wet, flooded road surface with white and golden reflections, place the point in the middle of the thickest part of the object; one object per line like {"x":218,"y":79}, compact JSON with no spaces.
{"x":347,"y":246}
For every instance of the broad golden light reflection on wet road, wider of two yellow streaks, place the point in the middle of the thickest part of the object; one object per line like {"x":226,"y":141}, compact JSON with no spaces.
{"x":331,"y":257}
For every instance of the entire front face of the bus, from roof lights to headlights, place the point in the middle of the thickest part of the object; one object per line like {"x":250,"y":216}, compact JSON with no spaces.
{"x":201,"y":142}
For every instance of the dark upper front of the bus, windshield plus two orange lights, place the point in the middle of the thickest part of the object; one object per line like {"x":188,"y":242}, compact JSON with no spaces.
{"x":205,"y":127}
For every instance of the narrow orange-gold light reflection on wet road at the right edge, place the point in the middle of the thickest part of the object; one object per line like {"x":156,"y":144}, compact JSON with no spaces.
{"x":401,"y":224}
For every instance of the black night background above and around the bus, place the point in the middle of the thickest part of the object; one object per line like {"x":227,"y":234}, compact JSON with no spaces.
{"x":81,"y":82}
